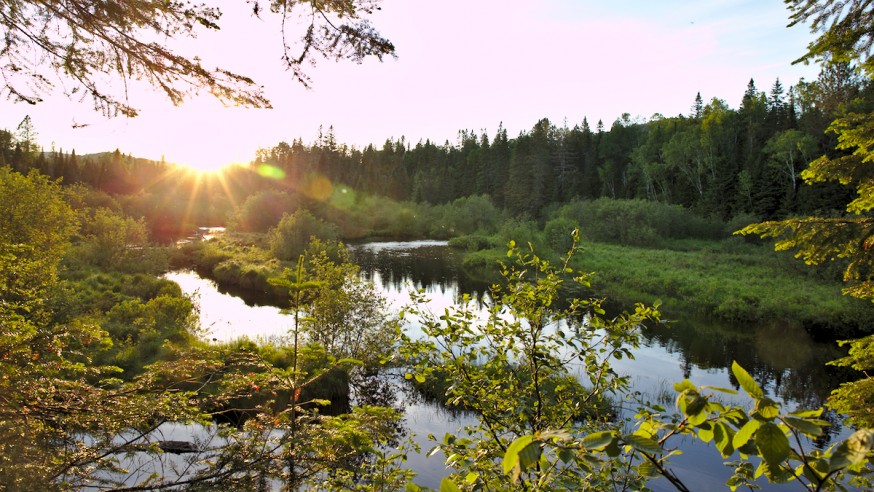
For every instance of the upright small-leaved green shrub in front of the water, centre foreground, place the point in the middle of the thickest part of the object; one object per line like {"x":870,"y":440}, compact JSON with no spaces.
{"x":512,"y":369}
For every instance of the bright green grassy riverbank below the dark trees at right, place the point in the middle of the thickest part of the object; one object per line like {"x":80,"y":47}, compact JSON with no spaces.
{"x":731,"y":280}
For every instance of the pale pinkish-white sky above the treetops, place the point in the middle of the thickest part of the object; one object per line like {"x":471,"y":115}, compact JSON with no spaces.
{"x":462,"y":64}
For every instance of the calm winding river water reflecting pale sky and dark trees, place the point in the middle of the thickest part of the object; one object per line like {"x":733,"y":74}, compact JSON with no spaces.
{"x":782,"y":357}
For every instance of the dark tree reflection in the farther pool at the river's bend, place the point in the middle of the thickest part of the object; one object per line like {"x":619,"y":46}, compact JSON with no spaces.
{"x":433,"y":267}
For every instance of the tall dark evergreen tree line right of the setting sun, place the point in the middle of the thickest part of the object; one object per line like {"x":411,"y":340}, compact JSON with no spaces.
{"x":716,"y":160}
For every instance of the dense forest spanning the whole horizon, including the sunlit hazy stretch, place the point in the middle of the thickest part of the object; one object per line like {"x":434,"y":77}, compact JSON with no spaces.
{"x":718,"y":161}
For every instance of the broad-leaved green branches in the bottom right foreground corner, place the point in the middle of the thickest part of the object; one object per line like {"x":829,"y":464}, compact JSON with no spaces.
{"x":780,"y":440}
